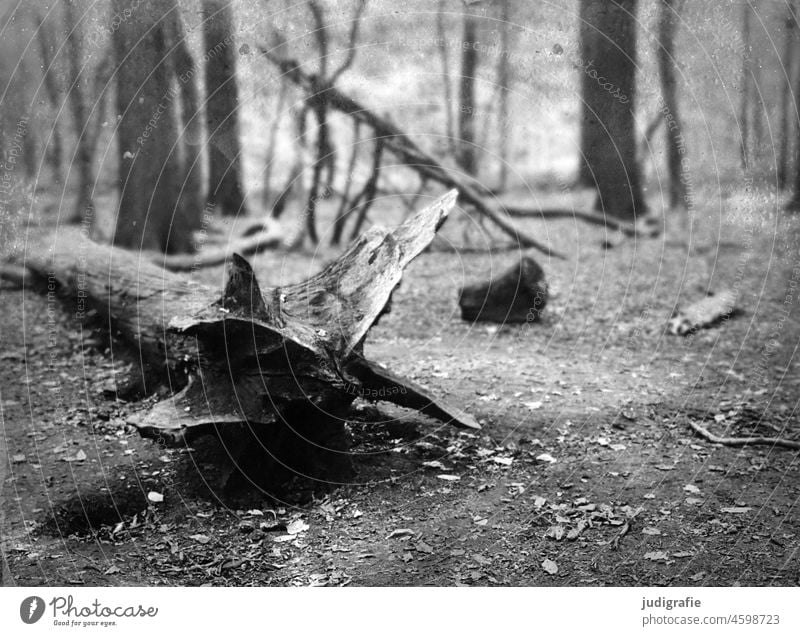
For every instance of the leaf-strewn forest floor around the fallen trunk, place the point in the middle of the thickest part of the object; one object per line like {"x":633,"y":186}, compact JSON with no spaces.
{"x":586,"y":471}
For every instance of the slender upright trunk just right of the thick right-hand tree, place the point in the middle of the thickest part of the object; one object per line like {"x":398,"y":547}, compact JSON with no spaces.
{"x":667,"y":27}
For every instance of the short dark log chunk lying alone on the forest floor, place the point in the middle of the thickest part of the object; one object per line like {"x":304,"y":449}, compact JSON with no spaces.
{"x":518,"y":295}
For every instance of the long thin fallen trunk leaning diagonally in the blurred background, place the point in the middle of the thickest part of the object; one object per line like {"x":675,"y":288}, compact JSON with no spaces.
{"x":397,"y":142}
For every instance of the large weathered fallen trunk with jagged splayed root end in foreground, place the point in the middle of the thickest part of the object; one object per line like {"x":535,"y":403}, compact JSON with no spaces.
{"x":271,"y":373}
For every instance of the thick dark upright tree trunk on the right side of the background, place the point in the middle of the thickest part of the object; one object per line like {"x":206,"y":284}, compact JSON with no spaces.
{"x":608,"y":132}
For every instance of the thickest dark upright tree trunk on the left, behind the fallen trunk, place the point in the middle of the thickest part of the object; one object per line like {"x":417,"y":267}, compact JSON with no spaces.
{"x":151,"y":172}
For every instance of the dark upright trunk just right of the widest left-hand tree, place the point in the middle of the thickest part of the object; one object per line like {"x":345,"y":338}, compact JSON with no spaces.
{"x":222,"y":103}
